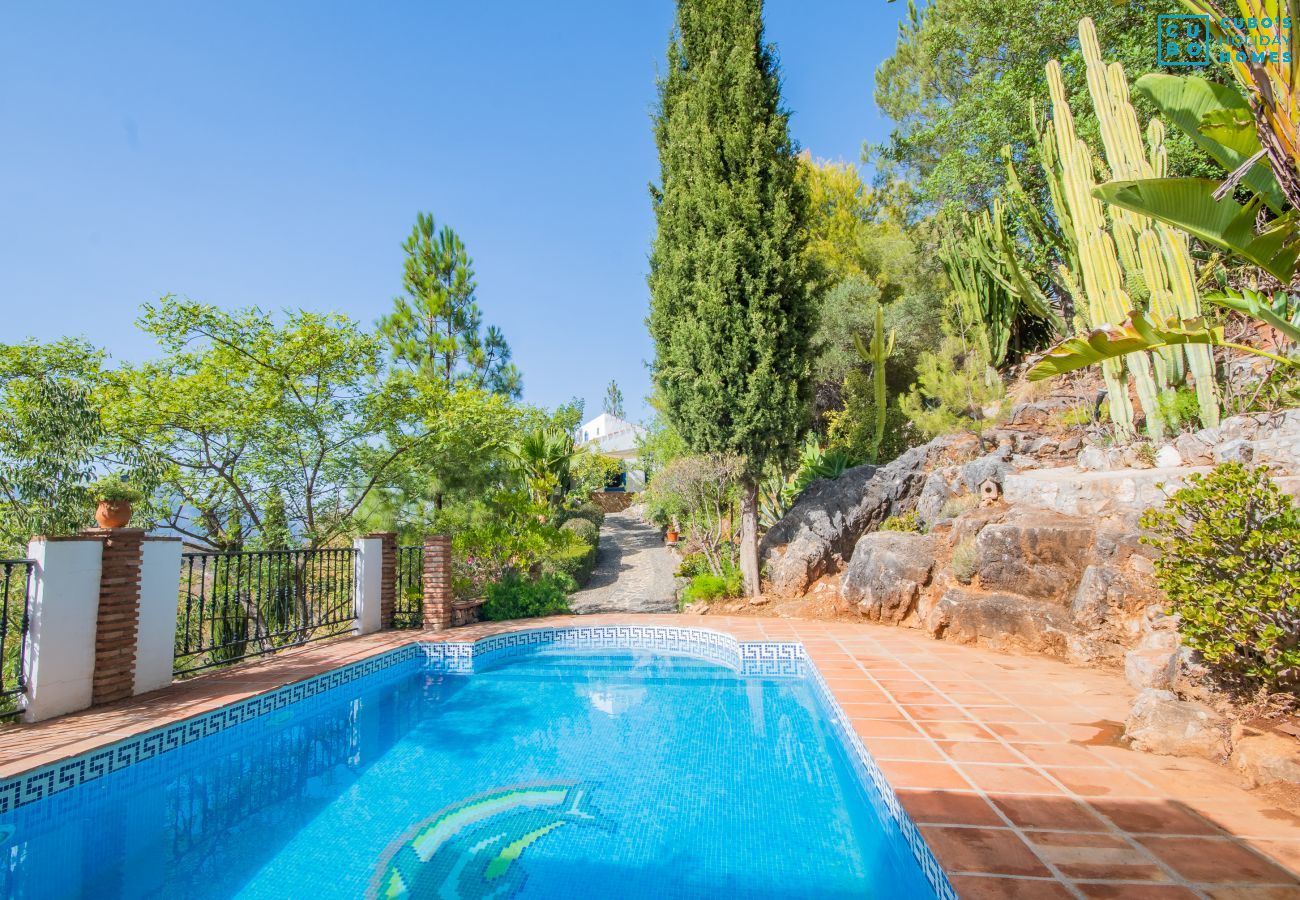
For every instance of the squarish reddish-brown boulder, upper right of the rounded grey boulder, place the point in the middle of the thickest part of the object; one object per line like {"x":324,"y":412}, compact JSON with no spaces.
{"x":1034,"y":553}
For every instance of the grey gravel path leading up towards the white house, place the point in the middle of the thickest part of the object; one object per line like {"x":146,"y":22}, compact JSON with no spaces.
{"x":634,"y":573}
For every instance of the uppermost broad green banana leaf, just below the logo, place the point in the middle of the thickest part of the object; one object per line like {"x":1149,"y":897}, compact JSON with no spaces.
{"x":1220,"y":122}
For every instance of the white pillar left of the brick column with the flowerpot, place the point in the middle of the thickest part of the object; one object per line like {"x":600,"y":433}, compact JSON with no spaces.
{"x":60,"y":654}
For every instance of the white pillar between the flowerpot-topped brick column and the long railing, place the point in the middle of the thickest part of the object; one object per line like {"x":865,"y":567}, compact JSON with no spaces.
{"x":161,"y":596}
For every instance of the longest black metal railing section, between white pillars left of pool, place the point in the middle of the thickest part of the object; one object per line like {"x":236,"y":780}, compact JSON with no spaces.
{"x":240,"y":605}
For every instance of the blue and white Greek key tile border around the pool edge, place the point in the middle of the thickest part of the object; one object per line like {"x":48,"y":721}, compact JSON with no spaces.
{"x":762,"y":659}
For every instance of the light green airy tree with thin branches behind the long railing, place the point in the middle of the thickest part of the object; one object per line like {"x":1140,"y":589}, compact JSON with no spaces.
{"x":259,"y":427}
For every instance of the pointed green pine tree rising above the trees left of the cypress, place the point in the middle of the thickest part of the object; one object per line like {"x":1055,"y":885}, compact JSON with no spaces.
{"x":436,"y":328}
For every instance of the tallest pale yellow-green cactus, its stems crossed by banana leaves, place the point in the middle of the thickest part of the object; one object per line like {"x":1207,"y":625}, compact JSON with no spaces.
{"x":1151,"y":252}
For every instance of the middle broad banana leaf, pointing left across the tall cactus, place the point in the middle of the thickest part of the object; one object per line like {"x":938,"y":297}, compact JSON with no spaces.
{"x":1190,"y":205}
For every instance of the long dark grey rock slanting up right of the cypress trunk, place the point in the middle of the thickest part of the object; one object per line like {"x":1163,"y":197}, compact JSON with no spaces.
{"x":826,"y":522}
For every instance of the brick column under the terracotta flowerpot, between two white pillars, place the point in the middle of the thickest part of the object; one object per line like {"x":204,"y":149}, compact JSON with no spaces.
{"x":118,"y":626}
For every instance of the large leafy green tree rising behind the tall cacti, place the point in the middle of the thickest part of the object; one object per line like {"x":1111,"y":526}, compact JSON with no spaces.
{"x":961,"y":85}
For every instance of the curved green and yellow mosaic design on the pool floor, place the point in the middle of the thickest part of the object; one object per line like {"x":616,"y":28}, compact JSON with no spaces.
{"x":473,"y":849}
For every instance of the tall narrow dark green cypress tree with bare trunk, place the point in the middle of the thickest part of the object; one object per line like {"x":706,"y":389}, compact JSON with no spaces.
{"x":731,"y":308}
